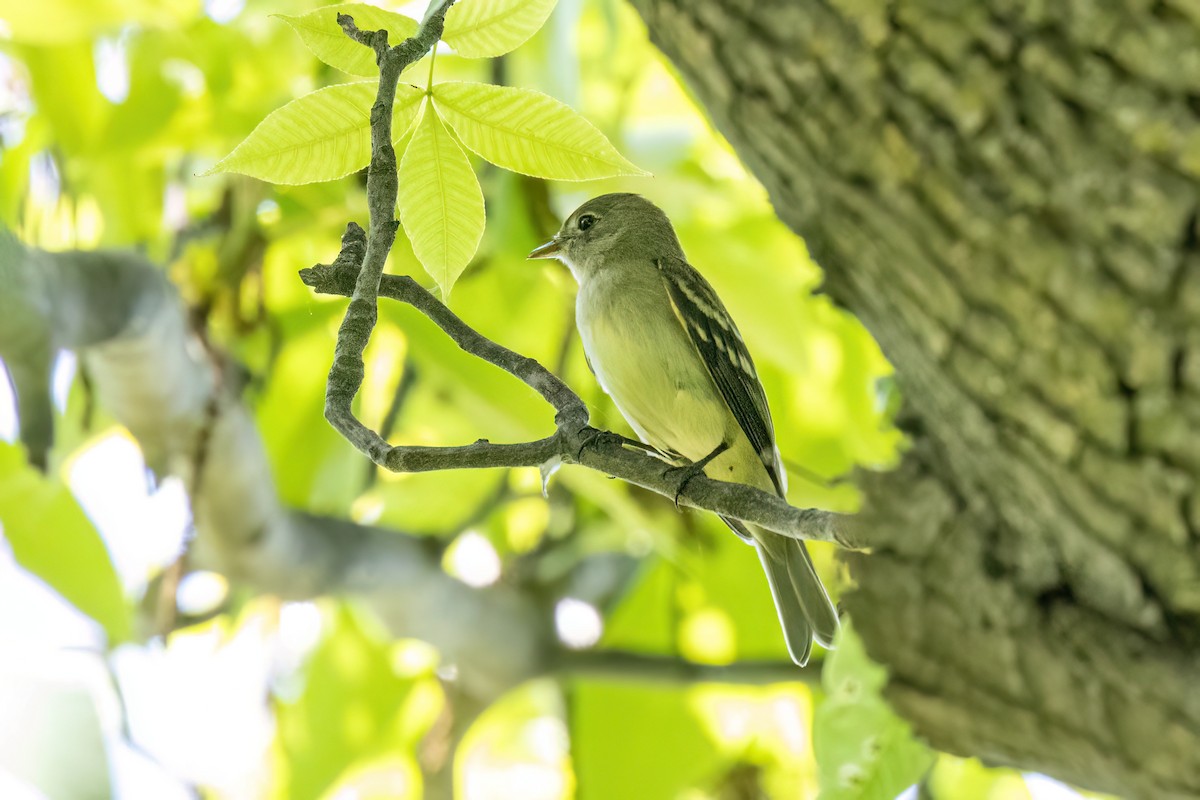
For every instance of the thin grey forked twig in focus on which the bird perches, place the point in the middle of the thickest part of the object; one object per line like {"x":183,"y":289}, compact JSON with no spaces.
{"x":358,"y":274}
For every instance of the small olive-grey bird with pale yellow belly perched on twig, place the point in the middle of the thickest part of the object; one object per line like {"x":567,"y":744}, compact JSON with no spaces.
{"x":665,"y":350}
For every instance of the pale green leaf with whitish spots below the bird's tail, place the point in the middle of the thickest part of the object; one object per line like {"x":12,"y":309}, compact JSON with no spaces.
{"x":865,"y":751}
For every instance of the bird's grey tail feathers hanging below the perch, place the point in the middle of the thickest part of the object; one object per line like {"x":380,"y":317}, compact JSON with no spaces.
{"x":805,"y":610}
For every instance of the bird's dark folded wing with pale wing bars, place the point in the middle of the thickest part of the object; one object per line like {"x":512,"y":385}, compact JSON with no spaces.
{"x":725,"y":356}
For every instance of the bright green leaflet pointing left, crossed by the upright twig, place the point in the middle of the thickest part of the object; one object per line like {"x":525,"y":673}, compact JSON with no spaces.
{"x":320,"y":137}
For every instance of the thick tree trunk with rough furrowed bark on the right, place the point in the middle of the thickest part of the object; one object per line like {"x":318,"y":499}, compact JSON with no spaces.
{"x":1006,"y":195}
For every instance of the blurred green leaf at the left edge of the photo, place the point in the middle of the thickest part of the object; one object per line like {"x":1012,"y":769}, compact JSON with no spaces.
{"x":52,"y":538}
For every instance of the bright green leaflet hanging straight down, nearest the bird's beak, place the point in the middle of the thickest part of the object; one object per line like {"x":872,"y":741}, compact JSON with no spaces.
{"x":441,"y":203}
